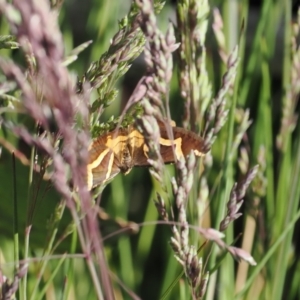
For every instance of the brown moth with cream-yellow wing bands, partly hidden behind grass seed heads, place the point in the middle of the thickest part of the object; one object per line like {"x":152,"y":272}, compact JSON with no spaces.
{"x":124,"y":148}
